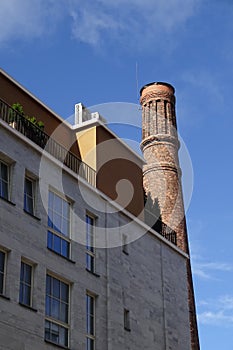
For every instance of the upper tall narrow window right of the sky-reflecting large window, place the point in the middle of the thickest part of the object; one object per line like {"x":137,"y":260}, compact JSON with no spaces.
{"x":90,"y":243}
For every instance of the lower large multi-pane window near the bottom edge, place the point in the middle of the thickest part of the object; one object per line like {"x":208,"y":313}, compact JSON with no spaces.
{"x":57,"y":311}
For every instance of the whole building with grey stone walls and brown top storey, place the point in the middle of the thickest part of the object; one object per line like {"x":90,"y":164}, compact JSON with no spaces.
{"x":79,"y":270}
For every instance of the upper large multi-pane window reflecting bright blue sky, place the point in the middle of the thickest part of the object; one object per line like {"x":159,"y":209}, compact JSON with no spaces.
{"x":59,"y":225}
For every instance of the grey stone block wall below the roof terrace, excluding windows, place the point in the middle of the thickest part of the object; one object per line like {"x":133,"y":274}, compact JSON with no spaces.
{"x":149,"y":281}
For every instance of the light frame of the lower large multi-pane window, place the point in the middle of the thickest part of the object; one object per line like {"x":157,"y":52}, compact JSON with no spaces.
{"x":56,"y":321}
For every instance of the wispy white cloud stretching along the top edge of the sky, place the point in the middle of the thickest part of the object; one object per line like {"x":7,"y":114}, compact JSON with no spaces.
{"x":129,"y":22}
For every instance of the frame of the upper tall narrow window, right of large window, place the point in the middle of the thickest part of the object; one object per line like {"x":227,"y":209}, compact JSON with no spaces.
{"x":90,"y":249}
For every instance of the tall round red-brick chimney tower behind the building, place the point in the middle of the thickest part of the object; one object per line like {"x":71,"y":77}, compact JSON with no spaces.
{"x":162,"y":174}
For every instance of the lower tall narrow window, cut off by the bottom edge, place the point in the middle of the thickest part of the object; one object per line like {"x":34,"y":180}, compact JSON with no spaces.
{"x":90,"y":318}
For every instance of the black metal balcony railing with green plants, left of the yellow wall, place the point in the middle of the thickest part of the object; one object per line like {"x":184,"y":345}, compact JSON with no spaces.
{"x":39,"y":137}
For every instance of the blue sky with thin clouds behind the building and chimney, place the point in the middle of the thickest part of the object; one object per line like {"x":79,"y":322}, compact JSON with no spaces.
{"x":70,"y":51}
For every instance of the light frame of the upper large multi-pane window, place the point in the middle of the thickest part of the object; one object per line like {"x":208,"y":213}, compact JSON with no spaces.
{"x":53,"y":234}
